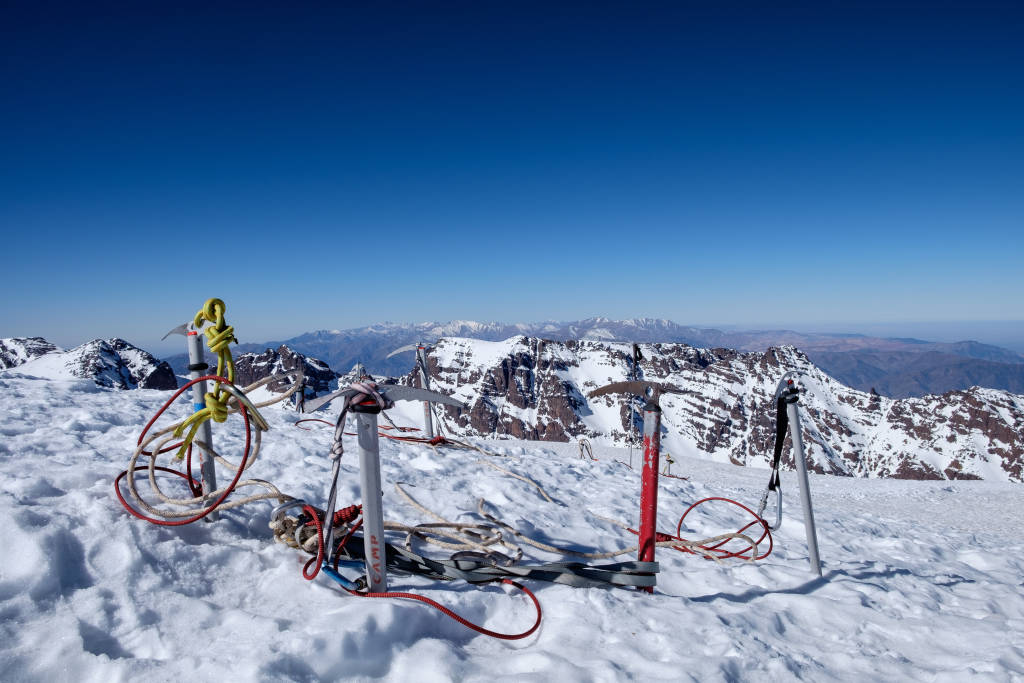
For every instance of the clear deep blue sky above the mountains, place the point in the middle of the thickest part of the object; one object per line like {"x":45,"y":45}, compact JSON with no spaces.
{"x":334,"y":166}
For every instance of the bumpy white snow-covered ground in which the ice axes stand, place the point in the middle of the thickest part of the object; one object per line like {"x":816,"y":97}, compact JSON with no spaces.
{"x":923,"y":580}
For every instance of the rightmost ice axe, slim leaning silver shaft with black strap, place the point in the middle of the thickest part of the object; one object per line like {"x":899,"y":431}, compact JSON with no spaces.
{"x":788,"y":396}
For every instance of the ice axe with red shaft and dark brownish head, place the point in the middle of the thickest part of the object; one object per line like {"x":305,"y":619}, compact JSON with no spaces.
{"x":652,"y":454}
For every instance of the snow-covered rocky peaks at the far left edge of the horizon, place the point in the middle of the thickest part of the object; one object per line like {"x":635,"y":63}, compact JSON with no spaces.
{"x":112,"y":363}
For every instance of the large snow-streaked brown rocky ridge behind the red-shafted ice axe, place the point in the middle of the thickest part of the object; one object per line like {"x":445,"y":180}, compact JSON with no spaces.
{"x":528,"y":389}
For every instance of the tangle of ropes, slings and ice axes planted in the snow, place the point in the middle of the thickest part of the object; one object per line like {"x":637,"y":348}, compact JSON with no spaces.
{"x":348,"y":544}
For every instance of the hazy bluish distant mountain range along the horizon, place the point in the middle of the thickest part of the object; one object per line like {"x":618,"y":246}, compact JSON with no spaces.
{"x":895,"y":368}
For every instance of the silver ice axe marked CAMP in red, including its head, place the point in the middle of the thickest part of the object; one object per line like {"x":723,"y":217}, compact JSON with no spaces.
{"x":370,"y":472}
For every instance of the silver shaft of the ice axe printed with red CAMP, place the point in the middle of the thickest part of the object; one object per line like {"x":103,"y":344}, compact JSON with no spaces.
{"x":373,"y":504}
